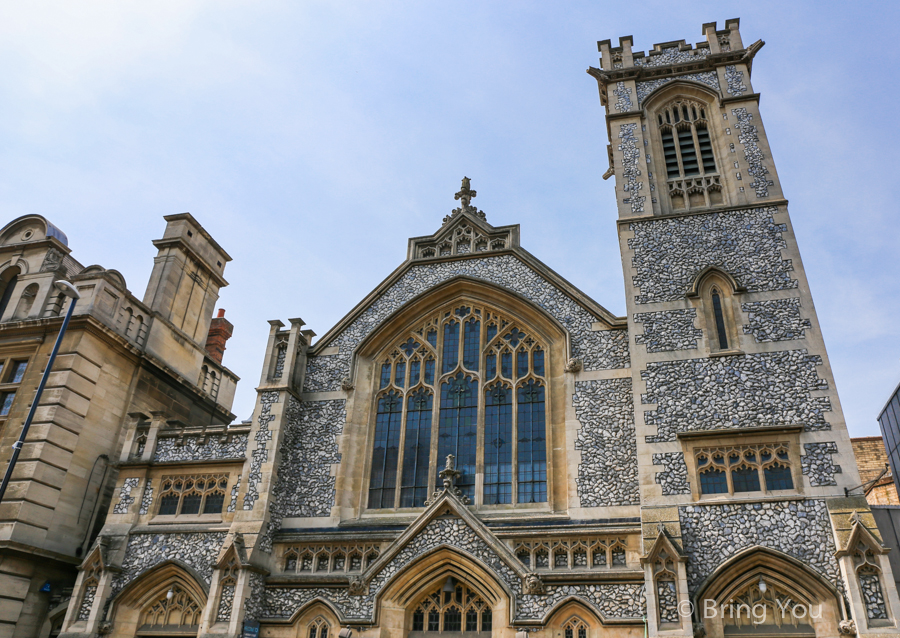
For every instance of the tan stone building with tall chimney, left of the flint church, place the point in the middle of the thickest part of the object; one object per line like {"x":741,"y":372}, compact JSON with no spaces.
{"x":125,"y":364}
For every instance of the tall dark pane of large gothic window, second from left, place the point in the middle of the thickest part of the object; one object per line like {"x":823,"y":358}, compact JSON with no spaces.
{"x":416,"y":450}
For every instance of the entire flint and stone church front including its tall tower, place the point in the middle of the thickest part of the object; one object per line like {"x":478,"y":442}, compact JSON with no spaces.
{"x":479,"y":448}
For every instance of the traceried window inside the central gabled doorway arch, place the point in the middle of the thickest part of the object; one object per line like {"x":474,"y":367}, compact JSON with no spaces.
{"x":454,"y":608}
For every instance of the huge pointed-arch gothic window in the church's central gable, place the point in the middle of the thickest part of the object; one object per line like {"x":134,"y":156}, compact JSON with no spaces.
{"x":469,"y":381}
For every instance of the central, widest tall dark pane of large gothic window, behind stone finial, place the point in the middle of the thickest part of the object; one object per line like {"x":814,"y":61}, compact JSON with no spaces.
{"x":457,"y":428}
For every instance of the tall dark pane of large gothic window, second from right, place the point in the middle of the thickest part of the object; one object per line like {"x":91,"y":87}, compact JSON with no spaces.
{"x":498,"y":445}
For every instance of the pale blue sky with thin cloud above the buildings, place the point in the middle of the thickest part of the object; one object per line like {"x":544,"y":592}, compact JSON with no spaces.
{"x":311,"y":139}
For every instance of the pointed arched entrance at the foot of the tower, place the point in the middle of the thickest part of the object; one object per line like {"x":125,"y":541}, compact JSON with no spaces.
{"x":765,"y":593}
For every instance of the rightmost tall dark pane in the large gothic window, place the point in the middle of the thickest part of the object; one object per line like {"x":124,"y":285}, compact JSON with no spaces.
{"x":532,"y":453}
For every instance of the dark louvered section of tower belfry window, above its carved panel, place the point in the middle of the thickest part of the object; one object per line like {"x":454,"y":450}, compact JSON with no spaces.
{"x":687,"y":147}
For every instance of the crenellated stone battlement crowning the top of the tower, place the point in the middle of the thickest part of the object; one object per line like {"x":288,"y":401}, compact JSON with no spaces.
{"x":718,"y":41}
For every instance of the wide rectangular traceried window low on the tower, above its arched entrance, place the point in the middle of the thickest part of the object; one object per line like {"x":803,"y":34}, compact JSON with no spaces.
{"x":744,"y":468}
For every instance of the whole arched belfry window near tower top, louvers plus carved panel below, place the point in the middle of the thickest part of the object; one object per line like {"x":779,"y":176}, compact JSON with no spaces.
{"x":687,"y":146}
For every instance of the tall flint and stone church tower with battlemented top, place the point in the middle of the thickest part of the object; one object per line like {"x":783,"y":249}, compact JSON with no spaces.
{"x":730,"y":375}
